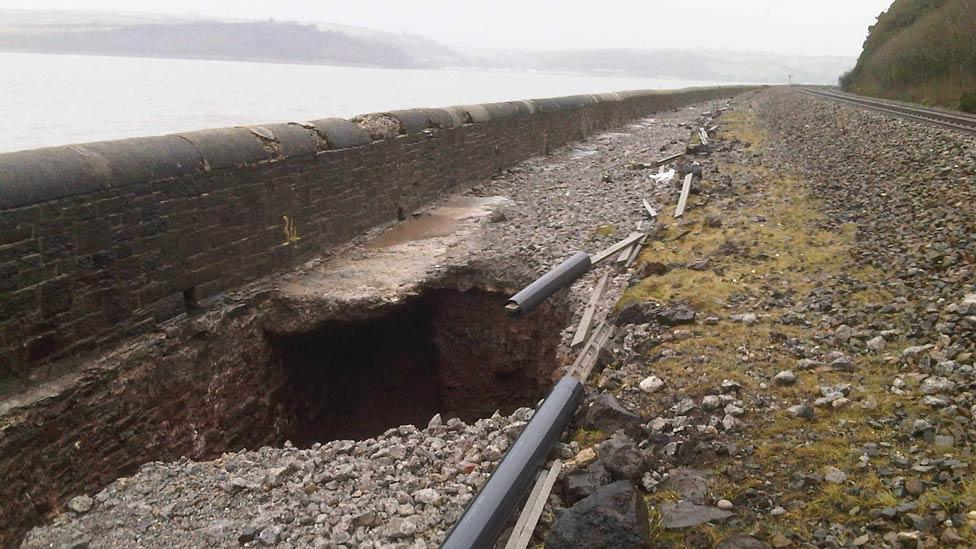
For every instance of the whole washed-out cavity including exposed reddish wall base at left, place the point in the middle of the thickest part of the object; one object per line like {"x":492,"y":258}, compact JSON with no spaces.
{"x":232,"y":385}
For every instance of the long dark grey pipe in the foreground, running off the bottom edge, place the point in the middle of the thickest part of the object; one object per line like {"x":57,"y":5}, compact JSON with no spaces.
{"x":489,"y":512}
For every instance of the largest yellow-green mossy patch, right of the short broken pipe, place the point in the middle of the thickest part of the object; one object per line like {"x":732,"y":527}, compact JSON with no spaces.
{"x":781,"y":246}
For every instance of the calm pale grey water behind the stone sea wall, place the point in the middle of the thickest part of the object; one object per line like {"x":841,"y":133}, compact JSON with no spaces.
{"x":60,"y":99}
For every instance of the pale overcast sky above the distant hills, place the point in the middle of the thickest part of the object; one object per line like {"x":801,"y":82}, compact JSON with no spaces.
{"x":813,"y":27}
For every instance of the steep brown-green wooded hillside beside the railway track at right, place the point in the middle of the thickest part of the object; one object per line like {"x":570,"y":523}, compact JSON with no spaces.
{"x":922,"y":51}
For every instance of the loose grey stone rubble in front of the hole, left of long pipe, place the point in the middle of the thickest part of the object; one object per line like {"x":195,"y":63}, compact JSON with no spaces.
{"x":405,"y":488}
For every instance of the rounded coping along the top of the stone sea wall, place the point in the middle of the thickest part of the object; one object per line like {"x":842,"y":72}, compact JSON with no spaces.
{"x":40,"y":175}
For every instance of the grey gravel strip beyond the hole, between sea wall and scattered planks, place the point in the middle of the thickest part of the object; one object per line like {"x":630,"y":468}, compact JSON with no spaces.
{"x":588,"y":196}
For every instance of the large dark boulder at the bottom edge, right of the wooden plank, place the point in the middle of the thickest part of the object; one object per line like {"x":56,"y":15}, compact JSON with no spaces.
{"x":614,"y":517}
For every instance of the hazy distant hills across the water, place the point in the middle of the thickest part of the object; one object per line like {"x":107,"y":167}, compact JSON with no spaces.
{"x":130,"y":34}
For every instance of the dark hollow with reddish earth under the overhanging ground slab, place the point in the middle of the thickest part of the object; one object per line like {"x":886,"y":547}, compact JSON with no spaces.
{"x":447,"y":351}
